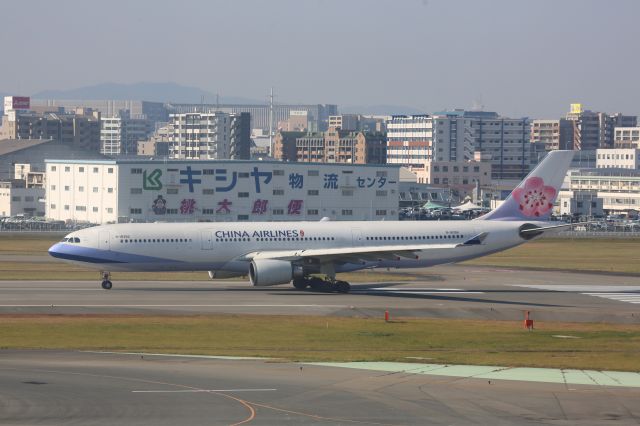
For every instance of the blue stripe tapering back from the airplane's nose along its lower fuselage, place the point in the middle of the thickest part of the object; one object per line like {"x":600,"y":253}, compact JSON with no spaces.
{"x":92,"y":255}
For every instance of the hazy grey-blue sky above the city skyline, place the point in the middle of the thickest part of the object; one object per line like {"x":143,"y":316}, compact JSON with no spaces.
{"x":520,"y":58}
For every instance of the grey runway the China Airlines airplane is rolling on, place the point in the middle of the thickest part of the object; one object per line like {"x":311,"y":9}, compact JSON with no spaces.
{"x":451,"y":291}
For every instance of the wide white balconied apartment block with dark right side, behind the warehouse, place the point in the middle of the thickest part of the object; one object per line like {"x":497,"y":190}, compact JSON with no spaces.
{"x":209,"y":136}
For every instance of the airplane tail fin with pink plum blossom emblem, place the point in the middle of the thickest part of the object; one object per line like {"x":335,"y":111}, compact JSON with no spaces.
{"x":533,"y":198}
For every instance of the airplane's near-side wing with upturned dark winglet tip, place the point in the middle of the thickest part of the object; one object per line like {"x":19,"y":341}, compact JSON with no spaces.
{"x":361,"y":253}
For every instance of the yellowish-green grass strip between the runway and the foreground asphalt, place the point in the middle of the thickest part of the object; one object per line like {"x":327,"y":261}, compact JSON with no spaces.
{"x":304,"y":338}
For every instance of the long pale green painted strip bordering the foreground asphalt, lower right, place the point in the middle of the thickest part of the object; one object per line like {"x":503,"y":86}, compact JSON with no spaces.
{"x":545,"y":375}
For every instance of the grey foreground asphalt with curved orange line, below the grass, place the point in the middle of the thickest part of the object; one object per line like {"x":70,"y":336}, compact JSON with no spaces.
{"x":53,"y":388}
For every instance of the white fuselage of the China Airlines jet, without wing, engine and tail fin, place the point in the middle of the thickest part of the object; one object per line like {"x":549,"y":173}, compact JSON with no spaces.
{"x":220,"y":246}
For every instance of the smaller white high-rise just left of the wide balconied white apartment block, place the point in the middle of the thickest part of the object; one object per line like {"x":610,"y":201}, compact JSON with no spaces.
{"x":120,"y":135}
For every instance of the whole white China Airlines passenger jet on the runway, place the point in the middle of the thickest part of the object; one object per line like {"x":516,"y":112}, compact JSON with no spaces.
{"x":273,"y":253}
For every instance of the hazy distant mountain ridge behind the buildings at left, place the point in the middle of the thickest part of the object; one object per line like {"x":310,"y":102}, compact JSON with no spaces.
{"x":158,"y":92}
